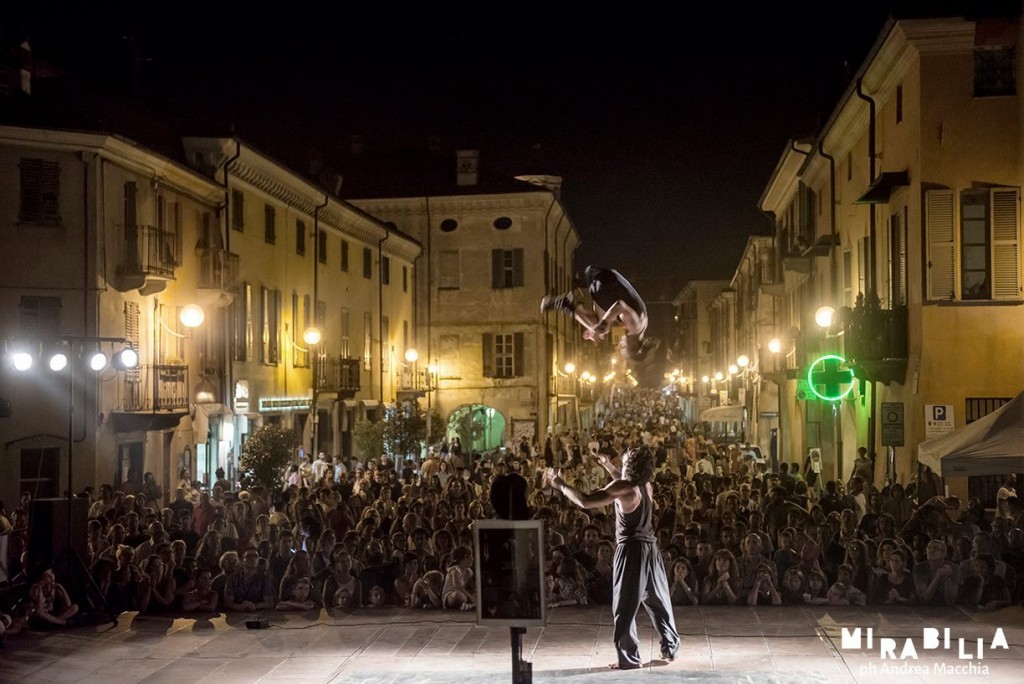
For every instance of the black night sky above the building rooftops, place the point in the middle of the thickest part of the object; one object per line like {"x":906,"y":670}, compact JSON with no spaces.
{"x":665,"y":126}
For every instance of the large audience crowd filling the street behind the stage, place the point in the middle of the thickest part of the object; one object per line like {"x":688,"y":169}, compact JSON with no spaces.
{"x":350,"y":535}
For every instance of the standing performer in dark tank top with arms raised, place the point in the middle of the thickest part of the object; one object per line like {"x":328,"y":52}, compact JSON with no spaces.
{"x":638,"y":573}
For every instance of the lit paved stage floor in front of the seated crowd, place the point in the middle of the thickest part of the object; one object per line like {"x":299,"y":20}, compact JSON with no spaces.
{"x":719,"y":645}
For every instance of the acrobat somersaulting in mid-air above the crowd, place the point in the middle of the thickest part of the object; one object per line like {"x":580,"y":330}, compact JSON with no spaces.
{"x":614,"y":301}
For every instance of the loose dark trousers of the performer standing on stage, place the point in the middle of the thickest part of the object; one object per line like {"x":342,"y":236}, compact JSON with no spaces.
{"x":638,"y":575}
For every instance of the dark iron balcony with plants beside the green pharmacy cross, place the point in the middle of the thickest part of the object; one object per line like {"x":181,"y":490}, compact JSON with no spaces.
{"x":876,"y":340}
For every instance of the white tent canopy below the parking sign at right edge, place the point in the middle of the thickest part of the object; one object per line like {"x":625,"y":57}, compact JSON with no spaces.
{"x":991,"y":446}
